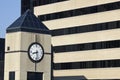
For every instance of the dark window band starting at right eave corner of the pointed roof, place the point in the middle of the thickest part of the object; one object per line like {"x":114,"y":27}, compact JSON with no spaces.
{"x":86,"y":28}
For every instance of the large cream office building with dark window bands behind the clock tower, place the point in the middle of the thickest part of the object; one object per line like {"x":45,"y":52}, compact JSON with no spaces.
{"x":85,"y":37}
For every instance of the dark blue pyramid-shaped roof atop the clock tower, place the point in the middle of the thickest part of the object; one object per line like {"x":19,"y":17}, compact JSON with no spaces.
{"x":28,"y":22}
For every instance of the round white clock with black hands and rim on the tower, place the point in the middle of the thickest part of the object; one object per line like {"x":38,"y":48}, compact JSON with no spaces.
{"x":35,"y":52}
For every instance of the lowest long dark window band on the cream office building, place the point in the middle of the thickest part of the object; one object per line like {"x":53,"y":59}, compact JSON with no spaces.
{"x":87,"y":64}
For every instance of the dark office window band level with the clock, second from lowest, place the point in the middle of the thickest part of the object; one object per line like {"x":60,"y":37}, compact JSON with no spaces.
{"x":87,"y":46}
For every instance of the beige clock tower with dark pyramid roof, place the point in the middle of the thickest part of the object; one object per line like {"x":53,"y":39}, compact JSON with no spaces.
{"x":28,"y":49}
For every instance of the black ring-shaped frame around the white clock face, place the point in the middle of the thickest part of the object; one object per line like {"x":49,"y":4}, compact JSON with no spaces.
{"x":34,"y":61}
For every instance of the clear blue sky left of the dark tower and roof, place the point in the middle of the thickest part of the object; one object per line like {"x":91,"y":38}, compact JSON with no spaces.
{"x":9,"y":12}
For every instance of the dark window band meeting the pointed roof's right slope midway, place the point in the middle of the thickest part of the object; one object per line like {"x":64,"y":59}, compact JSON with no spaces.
{"x":80,"y":11}
